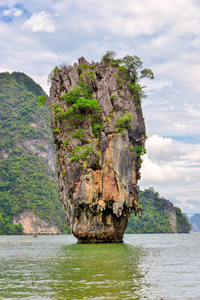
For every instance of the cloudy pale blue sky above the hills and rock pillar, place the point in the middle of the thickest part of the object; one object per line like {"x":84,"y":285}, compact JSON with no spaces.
{"x":38,"y":35}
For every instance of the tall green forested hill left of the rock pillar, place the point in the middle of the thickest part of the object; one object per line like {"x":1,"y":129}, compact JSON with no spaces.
{"x":28,"y":193}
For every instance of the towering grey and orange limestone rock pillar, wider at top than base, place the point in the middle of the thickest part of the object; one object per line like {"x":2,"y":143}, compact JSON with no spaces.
{"x":99,"y":134}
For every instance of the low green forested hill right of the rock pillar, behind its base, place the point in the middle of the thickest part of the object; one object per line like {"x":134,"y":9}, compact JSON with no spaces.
{"x":158,"y":216}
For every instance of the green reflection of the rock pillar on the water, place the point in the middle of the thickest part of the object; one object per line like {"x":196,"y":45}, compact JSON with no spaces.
{"x":107,"y":271}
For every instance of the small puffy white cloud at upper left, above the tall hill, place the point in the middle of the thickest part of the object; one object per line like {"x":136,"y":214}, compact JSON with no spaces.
{"x":38,"y":22}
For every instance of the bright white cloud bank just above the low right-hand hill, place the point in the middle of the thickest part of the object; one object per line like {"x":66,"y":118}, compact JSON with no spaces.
{"x":173,"y":169}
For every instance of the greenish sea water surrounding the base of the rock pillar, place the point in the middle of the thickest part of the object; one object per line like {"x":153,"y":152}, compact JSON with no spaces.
{"x":153,"y":266}
